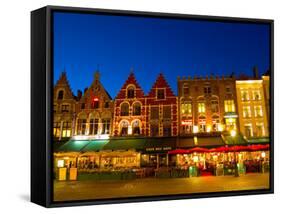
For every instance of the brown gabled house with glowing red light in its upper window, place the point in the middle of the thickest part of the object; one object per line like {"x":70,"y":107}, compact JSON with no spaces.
{"x":94,"y":111}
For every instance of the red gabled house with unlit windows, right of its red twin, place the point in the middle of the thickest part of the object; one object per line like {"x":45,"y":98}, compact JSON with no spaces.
{"x":161,"y":109}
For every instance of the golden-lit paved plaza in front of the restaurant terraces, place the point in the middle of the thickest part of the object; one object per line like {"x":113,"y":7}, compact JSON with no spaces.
{"x":83,"y":190}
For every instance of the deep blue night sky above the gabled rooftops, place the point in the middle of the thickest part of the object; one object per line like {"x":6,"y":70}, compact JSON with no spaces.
{"x":152,"y":45}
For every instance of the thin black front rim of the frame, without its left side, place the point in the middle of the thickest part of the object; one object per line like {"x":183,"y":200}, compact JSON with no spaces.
{"x":49,"y":84}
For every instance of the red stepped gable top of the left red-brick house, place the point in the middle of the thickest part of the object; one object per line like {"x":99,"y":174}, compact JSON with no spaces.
{"x":131,"y":80}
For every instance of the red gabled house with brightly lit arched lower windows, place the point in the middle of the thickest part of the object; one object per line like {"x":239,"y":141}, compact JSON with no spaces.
{"x":129,"y":109}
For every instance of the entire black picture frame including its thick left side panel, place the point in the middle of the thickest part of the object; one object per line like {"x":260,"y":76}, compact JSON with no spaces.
{"x":41,"y":105}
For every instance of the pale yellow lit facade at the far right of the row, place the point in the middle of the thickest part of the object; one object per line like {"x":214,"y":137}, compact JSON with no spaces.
{"x":251,"y":100}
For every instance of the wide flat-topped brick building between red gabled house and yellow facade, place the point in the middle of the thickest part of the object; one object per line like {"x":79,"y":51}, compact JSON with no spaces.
{"x":207,"y":104}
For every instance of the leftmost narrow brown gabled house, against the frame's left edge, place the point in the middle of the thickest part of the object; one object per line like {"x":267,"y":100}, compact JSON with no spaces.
{"x":63,"y":109}
